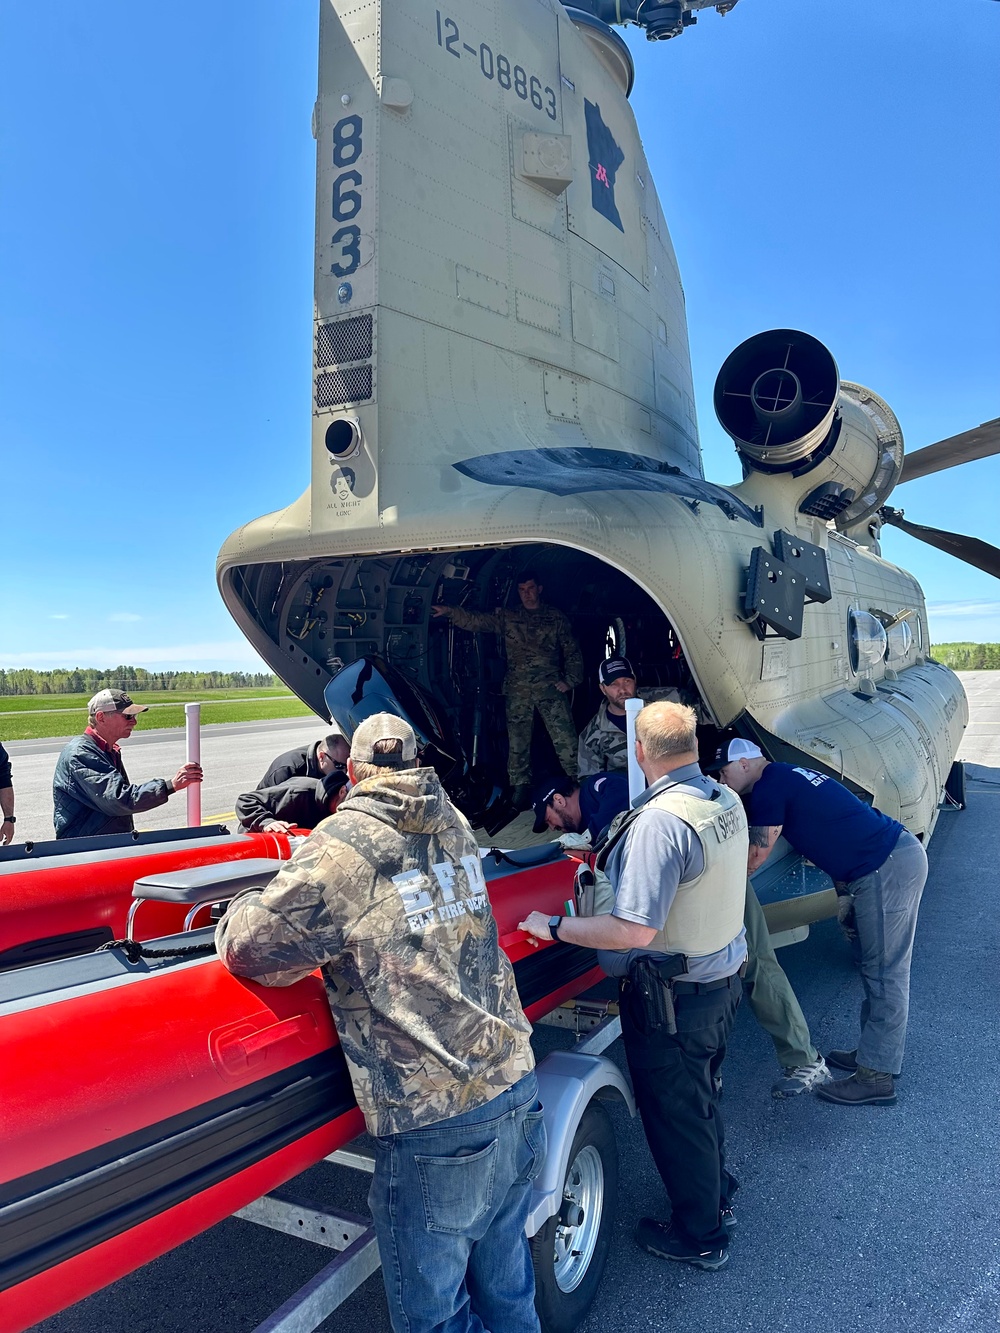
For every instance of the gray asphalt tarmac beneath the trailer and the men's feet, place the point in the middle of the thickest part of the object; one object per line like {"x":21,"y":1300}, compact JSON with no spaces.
{"x":875,"y":1219}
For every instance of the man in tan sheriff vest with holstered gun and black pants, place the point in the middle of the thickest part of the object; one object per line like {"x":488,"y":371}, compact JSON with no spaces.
{"x":675,"y":939}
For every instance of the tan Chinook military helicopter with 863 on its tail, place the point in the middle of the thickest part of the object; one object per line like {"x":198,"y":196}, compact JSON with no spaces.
{"x":502,"y":378}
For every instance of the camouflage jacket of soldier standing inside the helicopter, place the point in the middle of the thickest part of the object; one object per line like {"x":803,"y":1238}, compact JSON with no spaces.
{"x":541,"y":647}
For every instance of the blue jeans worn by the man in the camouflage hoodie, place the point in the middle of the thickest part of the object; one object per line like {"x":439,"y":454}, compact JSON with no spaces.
{"x":450,"y":1206}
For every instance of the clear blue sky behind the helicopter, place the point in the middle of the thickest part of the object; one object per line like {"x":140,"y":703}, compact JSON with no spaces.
{"x":829,"y":166}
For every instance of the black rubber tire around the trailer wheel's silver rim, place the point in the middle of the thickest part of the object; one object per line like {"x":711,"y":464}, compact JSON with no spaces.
{"x":563,"y":1311}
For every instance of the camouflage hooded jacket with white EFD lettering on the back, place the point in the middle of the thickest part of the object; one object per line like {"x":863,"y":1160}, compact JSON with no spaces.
{"x":389,"y":898}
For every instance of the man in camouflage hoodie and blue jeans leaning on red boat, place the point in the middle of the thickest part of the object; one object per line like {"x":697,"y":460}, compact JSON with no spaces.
{"x":389,"y":898}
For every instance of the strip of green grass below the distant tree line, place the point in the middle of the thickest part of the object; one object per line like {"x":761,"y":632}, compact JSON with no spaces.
{"x":27,"y":718}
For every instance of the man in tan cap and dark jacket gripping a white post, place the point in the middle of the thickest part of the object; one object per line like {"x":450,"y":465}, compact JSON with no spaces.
{"x":91,"y":792}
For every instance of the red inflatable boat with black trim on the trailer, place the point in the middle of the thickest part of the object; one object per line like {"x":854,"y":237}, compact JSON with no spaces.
{"x":145,"y":1102}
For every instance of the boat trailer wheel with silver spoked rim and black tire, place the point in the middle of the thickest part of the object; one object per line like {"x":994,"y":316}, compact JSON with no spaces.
{"x":571,"y":1250}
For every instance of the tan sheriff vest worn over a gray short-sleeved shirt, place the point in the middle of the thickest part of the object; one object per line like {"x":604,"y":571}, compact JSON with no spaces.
{"x":707,"y":914}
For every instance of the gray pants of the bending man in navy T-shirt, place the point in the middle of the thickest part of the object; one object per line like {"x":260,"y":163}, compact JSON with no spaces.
{"x":886,"y":912}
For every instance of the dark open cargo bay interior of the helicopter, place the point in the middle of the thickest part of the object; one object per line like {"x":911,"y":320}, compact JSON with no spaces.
{"x":359,"y":635}
